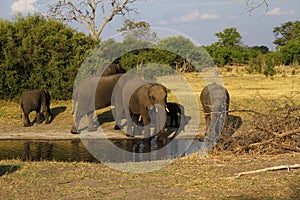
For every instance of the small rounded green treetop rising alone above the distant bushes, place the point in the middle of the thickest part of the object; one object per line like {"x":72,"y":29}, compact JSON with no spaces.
{"x":230,"y":37}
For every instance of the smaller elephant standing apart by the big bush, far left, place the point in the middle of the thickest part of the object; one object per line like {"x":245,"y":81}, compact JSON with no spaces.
{"x":36,"y":100}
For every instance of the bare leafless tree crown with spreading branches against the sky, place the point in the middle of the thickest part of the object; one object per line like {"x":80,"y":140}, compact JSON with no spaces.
{"x":93,"y":15}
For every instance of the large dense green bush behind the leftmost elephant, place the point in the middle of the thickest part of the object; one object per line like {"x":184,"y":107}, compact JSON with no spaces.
{"x":40,"y":53}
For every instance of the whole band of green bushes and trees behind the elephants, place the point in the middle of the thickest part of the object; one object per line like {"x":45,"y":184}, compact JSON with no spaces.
{"x":37,"y":52}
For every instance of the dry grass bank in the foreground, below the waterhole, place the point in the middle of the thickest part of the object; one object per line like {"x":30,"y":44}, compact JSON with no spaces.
{"x":186,"y":178}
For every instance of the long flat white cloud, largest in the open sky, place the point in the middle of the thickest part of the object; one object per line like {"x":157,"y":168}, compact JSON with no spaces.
{"x":193,"y":16}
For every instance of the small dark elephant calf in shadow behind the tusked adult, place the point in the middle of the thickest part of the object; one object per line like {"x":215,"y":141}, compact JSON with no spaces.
{"x":174,"y":111}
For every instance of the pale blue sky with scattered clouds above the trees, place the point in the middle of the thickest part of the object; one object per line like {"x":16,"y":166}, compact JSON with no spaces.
{"x":197,"y":19}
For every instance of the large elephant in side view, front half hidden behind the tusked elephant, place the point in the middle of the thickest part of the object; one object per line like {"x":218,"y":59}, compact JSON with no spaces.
{"x":91,"y":94}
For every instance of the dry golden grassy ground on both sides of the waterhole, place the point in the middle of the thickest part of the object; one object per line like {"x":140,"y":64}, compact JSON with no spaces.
{"x":190,"y":177}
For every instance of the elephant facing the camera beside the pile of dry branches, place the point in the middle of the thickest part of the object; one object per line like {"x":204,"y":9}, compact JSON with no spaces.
{"x":215,"y":101}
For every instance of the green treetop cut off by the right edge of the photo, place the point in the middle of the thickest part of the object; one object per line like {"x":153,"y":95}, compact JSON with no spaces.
{"x":287,"y":32}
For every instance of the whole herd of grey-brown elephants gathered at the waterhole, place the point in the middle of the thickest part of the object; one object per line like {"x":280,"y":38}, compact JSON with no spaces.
{"x":139,"y":100}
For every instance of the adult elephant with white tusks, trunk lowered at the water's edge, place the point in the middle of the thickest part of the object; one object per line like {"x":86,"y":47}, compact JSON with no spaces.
{"x":137,"y":98}
